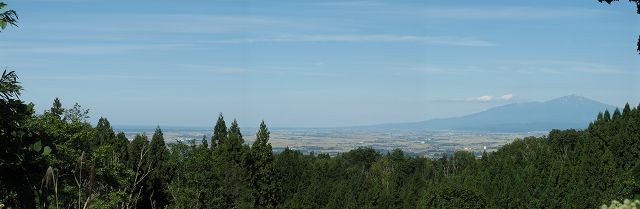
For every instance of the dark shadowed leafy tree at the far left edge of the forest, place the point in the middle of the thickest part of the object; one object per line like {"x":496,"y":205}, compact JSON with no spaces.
{"x":20,"y":150}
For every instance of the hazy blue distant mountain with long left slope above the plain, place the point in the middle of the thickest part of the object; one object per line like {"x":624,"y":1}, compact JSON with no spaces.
{"x":561,"y":113}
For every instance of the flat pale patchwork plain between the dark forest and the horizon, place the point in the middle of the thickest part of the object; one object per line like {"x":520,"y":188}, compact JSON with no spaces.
{"x":337,"y":140}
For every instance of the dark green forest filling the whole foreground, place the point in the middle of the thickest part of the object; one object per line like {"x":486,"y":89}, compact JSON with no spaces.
{"x":57,"y":159}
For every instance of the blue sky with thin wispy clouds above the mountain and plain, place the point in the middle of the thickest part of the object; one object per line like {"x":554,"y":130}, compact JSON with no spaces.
{"x":304,"y":63}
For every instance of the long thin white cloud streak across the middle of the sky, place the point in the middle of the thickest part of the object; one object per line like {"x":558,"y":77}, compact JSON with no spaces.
{"x":454,"y":41}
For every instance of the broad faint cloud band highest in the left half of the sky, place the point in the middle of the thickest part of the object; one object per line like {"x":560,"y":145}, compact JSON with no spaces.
{"x":177,"y":23}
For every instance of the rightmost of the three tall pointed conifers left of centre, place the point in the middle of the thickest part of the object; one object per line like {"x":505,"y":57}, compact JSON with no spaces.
{"x":263,"y":181}
